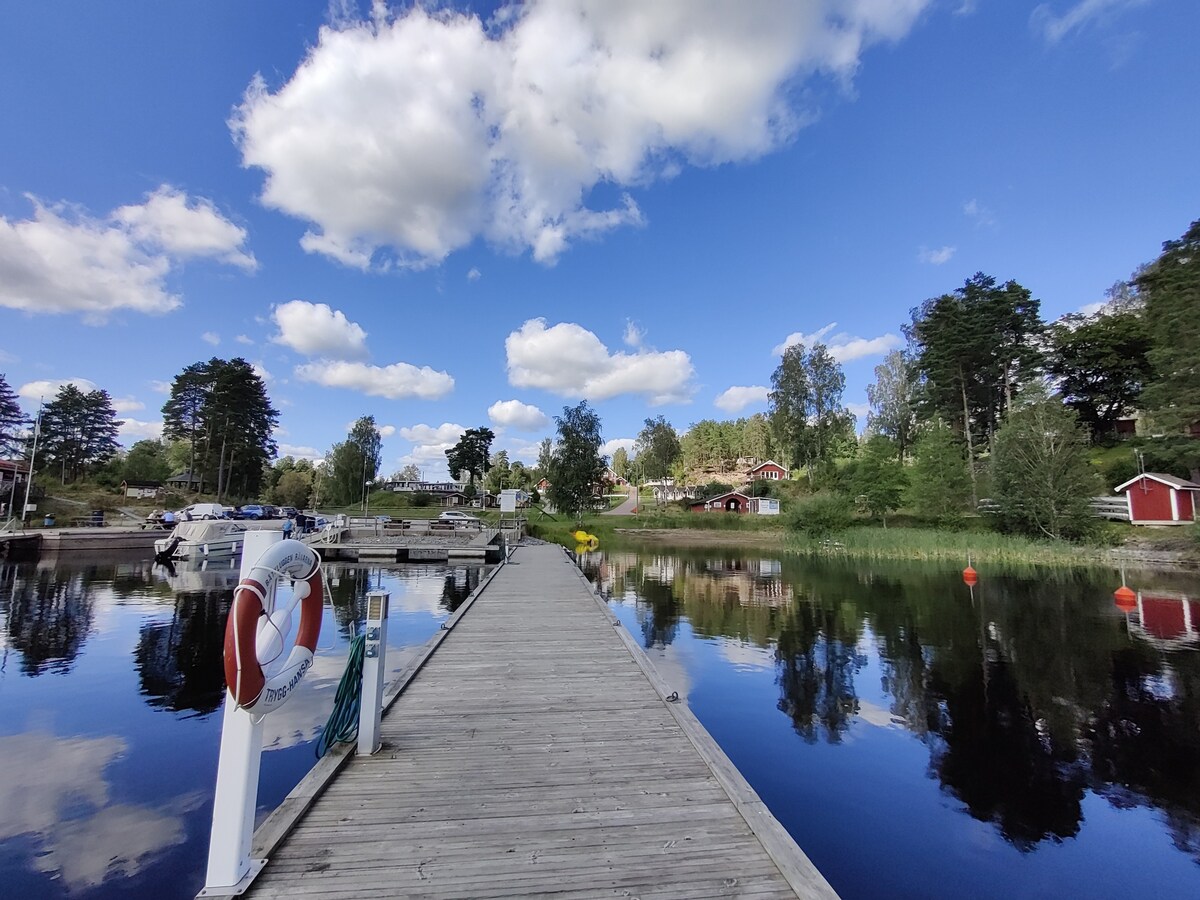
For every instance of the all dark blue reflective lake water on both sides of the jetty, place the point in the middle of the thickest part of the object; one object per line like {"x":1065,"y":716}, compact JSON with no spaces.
{"x":1022,"y":739}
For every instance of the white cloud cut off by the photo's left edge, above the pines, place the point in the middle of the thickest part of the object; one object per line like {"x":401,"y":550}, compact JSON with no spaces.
{"x":64,"y":261}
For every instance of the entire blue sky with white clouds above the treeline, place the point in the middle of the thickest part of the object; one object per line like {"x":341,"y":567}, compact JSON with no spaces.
{"x":461,"y":215}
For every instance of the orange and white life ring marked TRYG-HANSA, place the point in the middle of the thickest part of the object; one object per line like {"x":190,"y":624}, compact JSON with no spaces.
{"x":256,"y":628}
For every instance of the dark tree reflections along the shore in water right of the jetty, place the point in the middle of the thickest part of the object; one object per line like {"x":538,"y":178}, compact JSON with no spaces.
{"x":1028,"y":691}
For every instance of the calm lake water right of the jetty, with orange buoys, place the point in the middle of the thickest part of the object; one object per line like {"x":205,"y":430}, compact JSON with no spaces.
{"x":921,"y":739}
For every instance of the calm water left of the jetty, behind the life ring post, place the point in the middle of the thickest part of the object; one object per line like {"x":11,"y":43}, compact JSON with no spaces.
{"x":111,"y":693}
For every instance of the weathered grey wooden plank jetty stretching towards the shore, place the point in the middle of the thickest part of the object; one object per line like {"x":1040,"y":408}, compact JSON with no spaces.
{"x":535,"y":755}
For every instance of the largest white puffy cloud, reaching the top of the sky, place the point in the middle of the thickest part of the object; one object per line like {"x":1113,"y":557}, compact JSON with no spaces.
{"x":405,"y":137}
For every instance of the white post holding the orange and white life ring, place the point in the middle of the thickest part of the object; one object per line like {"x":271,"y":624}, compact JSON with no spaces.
{"x":231,"y":869}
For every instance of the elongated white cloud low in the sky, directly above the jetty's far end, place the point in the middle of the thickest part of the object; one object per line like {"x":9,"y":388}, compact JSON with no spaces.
{"x":572,"y":362}
